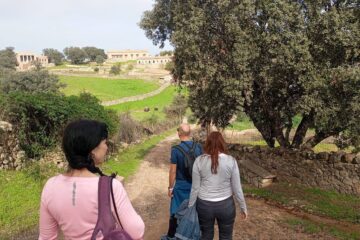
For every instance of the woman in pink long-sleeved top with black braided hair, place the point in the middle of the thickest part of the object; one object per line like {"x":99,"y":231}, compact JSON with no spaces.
{"x":69,"y":201}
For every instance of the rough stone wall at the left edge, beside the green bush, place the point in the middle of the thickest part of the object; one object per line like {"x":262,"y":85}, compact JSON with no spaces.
{"x":11,"y":156}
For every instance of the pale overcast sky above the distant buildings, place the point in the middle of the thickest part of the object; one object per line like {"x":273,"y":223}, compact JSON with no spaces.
{"x":32,"y":25}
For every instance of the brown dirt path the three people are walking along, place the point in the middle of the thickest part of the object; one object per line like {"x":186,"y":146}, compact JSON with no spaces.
{"x":148,"y":191}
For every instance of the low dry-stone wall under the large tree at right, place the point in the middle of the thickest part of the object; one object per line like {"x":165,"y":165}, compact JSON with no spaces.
{"x":332,"y":171}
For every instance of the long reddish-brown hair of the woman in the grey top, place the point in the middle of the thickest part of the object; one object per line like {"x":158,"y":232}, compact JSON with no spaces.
{"x":214,"y":145}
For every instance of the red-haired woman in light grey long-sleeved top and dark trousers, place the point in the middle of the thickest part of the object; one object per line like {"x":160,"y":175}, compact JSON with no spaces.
{"x":215,"y":180}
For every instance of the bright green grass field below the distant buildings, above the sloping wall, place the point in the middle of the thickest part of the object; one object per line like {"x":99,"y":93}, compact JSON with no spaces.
{"x":107,"y":89}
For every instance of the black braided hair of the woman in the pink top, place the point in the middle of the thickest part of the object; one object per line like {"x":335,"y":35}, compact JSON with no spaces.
{"x":79,"y":139}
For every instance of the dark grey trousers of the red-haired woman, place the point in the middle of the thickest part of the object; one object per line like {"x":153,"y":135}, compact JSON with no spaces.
{"x":223,"y":211}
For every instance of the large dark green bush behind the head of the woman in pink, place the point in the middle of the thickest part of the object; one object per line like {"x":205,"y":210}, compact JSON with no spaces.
{"x":39,"y":118}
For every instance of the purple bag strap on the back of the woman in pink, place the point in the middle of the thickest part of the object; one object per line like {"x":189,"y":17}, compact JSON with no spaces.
{"x":105,"y":222}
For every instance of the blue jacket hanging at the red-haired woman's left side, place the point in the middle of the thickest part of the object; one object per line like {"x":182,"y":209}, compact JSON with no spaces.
{"x":188,"y":222}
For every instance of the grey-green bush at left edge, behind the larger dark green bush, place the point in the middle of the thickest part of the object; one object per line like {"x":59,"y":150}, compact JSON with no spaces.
{"x":29,"y":81}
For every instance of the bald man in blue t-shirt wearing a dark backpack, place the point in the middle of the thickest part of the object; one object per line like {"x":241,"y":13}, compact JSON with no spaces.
{"x":179,"y":176}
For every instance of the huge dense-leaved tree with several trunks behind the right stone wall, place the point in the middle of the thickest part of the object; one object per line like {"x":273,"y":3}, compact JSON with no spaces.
{"x":272,"y":60}
